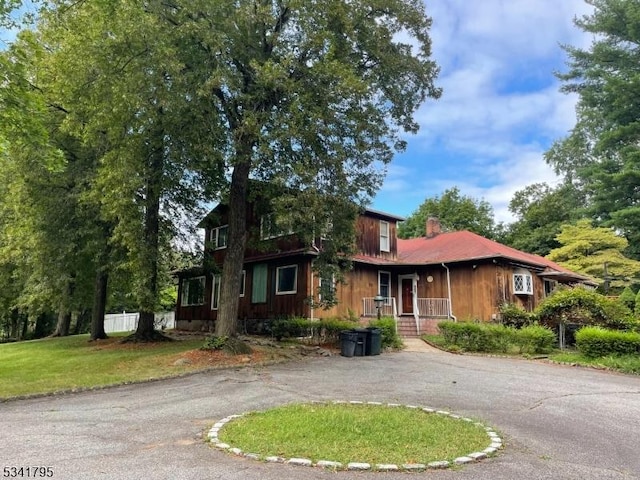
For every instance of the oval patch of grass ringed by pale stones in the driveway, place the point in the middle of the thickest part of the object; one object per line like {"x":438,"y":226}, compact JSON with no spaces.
{"x":355,"y":433}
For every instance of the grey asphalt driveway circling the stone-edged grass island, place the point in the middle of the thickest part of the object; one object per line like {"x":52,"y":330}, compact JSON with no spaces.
{"x":557,"y":422}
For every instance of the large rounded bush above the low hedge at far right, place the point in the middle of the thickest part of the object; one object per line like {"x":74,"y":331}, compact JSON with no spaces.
{"x":584,"y":307}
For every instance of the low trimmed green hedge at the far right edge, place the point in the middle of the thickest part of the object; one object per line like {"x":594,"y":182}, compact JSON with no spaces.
{"x":600,"y":342}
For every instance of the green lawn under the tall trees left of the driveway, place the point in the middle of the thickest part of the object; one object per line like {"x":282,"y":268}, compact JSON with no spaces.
{"x":50,"y":365}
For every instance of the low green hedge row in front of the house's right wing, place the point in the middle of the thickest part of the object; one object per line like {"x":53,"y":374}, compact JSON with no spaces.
{"x":477,"y":337}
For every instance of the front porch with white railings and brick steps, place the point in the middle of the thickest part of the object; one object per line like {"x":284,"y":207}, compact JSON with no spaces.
{"x":419,"y":318}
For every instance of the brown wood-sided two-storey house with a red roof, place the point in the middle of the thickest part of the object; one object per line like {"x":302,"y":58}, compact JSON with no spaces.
{"x":442,"y":275}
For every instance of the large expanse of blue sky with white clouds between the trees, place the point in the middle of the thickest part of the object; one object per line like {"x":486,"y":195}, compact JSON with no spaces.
{"x":501,"y":107}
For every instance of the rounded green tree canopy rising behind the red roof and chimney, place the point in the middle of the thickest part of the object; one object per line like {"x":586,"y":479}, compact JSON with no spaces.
{"x":455,"y":212}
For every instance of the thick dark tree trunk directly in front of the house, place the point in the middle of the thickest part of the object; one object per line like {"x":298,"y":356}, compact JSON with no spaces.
{"x":227,"y":321}
